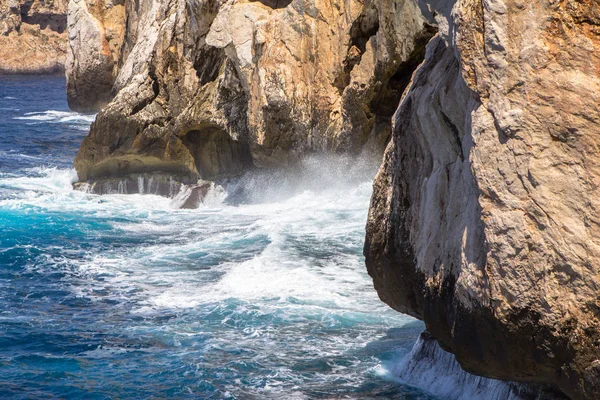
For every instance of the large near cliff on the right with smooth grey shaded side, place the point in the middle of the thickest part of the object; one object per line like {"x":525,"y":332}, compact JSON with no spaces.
{"x":484,"y":218}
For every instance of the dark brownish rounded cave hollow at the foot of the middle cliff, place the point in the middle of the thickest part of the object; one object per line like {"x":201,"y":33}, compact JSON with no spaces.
{"x":215,"y":153}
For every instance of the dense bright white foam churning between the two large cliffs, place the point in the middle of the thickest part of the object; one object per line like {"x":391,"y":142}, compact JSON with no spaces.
{"x":282,"y":270}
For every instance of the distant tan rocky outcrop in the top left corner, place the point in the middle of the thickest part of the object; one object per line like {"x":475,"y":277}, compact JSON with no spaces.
{"x":33,"y":38}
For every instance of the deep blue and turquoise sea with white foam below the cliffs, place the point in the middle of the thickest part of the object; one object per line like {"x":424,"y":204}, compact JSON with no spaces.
{"x":126,"y":297}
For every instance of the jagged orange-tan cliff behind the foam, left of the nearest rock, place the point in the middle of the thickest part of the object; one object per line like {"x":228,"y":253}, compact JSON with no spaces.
{"x":207,"y":88}
